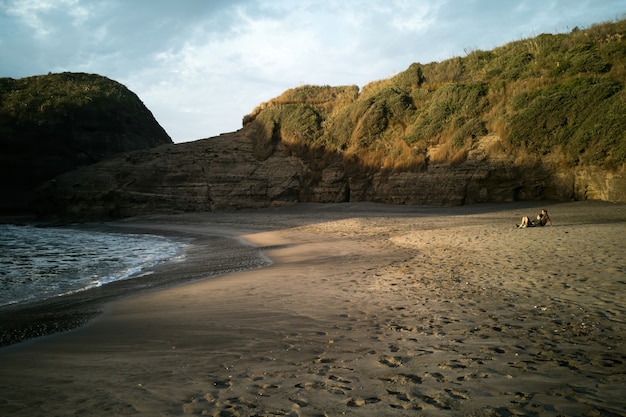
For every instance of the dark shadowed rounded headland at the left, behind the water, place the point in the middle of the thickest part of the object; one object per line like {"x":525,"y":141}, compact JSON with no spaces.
{"x":54,"y":123}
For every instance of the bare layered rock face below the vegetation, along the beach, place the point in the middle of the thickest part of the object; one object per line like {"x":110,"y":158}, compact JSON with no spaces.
{"x":228,"y":172}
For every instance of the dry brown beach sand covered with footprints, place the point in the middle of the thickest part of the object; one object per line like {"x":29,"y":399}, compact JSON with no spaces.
{"x":366,"y":310}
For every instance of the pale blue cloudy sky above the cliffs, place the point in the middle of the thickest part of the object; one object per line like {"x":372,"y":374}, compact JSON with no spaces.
{"x":201,"y":65}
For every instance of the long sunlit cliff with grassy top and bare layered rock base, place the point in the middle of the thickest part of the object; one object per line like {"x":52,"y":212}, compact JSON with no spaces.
{"x":540,"y":118}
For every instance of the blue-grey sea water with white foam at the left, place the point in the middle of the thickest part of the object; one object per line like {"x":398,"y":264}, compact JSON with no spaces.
{"x":40,"y":263}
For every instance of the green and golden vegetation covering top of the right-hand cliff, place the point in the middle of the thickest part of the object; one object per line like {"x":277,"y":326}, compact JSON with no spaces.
{"x":556,"y":95}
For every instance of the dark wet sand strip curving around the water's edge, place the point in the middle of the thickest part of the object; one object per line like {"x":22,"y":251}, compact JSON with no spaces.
{"x":21,"y":322}
